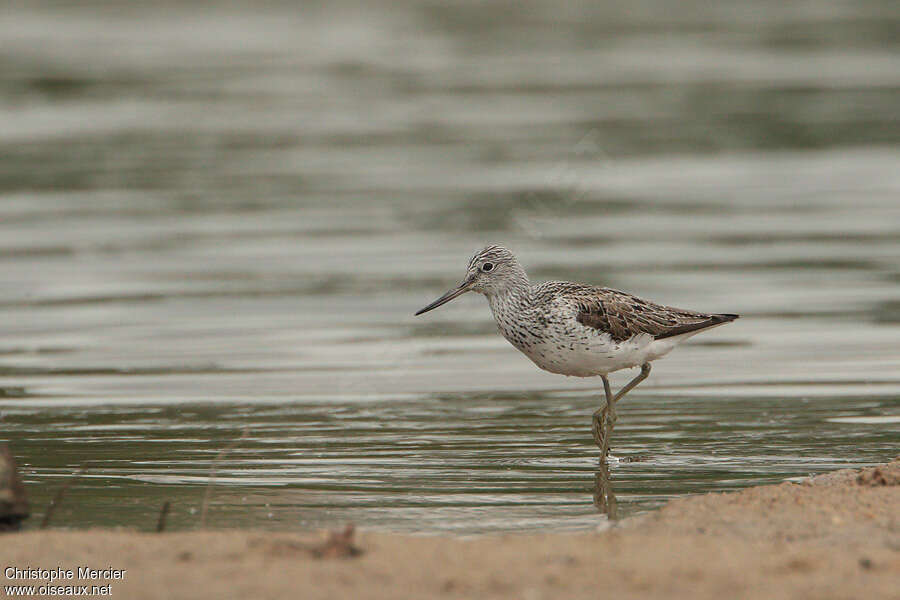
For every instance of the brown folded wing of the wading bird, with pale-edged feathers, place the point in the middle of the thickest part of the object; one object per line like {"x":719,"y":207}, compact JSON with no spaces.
{"x":623,"y":315}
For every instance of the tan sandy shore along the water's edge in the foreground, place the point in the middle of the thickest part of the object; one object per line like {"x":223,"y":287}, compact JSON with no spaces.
{"x":833,"y":536}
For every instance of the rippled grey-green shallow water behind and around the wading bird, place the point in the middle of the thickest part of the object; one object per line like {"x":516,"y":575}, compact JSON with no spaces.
{"x":213,"y":222}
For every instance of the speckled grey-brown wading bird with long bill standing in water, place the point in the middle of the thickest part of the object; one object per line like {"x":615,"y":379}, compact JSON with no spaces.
{"x":576,"y":329}
